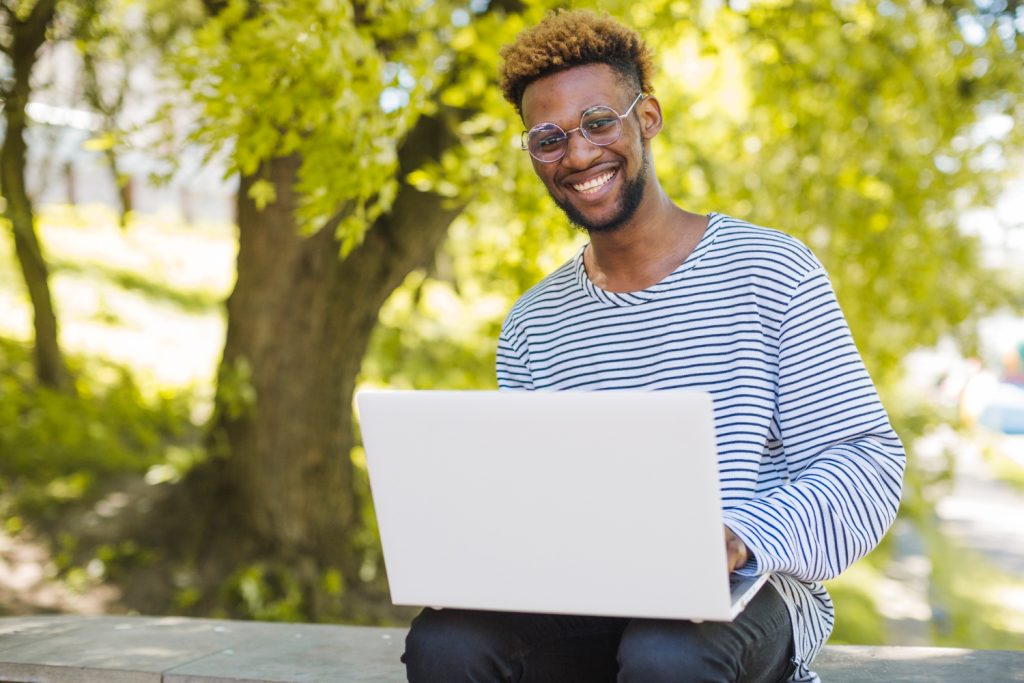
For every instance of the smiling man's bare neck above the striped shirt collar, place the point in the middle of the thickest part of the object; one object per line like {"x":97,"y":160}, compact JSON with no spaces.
{"x":644,"y":252}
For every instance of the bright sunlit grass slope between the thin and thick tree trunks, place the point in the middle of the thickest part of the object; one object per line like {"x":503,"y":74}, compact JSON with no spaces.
{"x":149,"y":297}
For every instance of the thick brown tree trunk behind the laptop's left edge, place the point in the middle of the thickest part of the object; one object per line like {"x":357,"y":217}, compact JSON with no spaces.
{"x":300,"y":323}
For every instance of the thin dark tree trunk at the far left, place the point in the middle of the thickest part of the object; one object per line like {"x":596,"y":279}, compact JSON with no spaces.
{"x":28,"y":36}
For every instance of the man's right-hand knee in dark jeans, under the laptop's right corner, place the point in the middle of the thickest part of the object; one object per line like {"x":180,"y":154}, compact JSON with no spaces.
{"x":673,"y":653}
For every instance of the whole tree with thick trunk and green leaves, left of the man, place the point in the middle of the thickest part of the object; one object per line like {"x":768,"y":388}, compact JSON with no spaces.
{"x":329,"y":226}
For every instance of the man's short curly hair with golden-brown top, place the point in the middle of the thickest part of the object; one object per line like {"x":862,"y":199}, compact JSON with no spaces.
{"x":573,"y":38}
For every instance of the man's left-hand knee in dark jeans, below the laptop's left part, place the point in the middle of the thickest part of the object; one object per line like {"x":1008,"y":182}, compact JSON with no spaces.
{"x":451,"y":646}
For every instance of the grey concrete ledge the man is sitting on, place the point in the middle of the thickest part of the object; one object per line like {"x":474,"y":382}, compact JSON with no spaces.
{"x":170,"y":650}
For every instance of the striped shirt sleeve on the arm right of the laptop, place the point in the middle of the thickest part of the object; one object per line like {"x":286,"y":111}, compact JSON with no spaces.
{"x":845,"y":462}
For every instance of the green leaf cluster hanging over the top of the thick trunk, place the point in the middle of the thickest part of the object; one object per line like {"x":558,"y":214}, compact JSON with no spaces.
{"x":317,"y":78}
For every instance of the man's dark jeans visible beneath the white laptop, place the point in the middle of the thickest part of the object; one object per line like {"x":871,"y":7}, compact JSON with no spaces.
{"x":458,"y":646}
